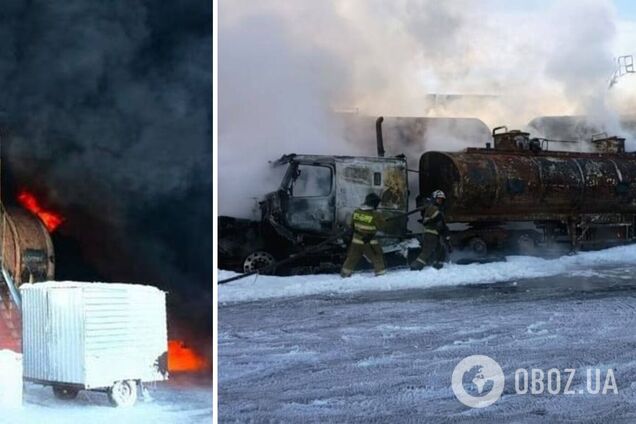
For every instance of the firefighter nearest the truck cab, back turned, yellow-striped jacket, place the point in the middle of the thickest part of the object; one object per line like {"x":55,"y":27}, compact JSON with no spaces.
{"x":366,"y":221}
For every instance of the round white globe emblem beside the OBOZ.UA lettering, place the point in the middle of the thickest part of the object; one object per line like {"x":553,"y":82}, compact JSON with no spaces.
{"x":478,"y":381}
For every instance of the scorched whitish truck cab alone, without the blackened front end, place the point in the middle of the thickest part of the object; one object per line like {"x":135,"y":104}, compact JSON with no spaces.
{"x":318,"y":194}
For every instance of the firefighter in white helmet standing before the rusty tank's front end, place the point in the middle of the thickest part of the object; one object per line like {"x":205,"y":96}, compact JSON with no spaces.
{"x":436,"y":234}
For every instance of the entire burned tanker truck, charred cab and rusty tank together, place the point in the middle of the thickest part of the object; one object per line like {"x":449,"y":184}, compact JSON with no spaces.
{"x":515,"y":195}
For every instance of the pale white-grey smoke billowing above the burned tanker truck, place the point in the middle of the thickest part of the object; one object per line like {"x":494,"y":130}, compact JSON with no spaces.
{"x":284,"y":67}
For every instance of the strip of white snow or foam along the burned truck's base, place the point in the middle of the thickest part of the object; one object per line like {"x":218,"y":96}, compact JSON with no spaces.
{"x":516,"y":267}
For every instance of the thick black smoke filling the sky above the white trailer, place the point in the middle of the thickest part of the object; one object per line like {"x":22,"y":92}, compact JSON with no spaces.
{"x":106,"y":110}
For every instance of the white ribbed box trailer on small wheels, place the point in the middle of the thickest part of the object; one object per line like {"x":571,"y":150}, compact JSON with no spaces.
{"x":94,"y":336}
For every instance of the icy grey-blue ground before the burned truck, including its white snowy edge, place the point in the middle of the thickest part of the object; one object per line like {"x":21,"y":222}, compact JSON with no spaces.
{"x":320,"y":349}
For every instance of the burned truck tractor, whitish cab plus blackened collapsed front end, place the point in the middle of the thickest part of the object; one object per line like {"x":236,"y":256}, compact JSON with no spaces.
{"x":315,"y":200}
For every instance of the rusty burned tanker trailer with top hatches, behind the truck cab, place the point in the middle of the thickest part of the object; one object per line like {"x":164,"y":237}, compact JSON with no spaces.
{"x":580,"y":194}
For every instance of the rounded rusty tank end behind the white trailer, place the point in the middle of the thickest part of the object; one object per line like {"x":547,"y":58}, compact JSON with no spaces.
{"x":27,"y":249}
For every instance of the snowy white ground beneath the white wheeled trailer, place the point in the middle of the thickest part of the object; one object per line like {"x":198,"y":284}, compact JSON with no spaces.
{"x":184,"y":399}
